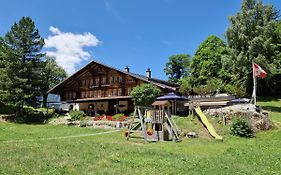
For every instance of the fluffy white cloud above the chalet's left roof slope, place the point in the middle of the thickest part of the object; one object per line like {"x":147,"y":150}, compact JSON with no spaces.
{"x":69,"y":48}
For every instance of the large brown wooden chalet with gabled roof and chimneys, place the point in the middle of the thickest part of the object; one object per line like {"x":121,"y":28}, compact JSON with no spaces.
{"x":101,"y":88}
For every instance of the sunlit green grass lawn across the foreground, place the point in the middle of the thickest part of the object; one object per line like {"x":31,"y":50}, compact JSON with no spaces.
{"x":24,"y":149}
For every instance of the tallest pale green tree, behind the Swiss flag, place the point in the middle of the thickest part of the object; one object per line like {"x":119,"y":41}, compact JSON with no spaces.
{"x":252,"y":35}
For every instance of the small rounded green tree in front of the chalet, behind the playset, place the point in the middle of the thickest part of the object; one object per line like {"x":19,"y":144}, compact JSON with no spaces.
{"x":145,"y":94}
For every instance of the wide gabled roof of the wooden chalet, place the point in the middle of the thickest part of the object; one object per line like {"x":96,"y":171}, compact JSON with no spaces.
{"x":157,"y":82}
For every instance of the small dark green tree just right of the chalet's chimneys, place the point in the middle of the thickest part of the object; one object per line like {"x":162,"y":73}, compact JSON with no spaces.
{"x":177,"y":67}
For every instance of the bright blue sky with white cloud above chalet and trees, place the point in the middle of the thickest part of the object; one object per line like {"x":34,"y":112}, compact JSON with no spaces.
{"x":139,"y":34}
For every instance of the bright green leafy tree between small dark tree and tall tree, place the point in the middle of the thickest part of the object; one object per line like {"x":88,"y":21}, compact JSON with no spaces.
{"x":206,"y":63}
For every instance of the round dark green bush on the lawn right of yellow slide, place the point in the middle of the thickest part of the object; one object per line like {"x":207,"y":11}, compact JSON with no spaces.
{"x":241,"y":127}
